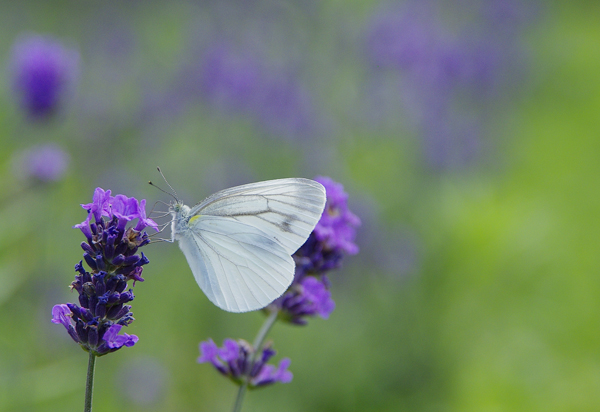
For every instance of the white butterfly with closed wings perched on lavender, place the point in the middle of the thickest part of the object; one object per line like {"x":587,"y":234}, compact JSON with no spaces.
{"x":239,"y":241}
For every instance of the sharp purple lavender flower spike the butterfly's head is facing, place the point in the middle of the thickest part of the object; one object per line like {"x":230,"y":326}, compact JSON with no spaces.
{"x":110,"y":252}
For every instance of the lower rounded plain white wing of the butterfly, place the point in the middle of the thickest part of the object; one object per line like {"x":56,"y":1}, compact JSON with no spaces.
{"x":236,"y":265}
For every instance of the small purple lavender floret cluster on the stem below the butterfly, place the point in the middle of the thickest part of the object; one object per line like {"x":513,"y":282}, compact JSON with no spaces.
{"x":235,"y":360}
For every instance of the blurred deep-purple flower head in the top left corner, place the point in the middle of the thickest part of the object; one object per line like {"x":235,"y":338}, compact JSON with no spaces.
{"x":42,"y":70}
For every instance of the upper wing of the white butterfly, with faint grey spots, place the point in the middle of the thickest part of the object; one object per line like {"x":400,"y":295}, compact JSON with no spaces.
{"x":287,"y":210}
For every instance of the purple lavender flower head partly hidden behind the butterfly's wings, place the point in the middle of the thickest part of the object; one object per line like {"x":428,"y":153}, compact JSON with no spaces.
{"x":332,"y":238}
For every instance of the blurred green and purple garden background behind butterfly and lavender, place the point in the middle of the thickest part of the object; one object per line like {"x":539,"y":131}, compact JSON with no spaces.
{"x":466,"y":133}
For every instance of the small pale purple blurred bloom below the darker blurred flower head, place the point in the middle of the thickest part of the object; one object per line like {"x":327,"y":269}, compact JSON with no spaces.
{"x":45,"y":163}
